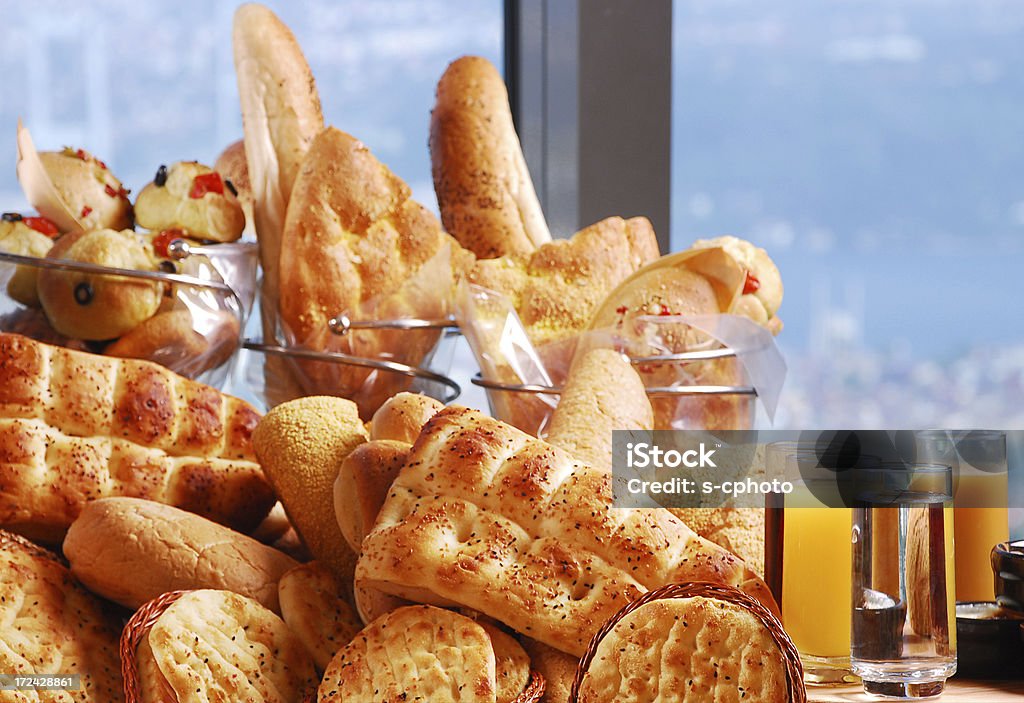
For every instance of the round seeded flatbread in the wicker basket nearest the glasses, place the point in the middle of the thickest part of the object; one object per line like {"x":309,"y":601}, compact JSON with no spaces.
{"x":688,"y":650}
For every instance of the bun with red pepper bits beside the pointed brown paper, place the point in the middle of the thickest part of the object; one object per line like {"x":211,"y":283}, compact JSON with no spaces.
{"x":90,"y":191}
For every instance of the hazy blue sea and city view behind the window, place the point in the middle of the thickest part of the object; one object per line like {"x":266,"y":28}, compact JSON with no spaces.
{"x":876,"y":149}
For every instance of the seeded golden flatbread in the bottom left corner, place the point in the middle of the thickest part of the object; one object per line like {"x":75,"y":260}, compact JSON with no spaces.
{"x":50,"y":625}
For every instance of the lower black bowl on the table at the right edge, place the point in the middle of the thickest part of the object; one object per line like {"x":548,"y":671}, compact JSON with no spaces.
{"x":990,"y":643}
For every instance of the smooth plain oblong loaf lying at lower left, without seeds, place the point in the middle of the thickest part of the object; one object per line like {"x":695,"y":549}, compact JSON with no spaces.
{"x":132,"y":551}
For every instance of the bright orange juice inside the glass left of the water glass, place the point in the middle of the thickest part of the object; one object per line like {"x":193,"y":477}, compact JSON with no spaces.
{"x":817,"y":582}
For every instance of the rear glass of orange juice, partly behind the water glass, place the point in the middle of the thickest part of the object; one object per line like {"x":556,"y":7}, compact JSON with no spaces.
{"x":982,"y":518}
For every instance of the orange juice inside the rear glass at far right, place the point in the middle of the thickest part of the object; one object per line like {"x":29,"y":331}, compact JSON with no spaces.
{"x":982,"y":521}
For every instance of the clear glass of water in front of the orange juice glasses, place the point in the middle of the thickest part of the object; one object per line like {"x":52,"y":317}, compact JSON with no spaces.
{"x":904,"y":635}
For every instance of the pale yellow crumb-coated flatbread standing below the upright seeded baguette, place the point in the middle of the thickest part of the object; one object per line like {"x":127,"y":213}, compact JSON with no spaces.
{"x":559,"y":288}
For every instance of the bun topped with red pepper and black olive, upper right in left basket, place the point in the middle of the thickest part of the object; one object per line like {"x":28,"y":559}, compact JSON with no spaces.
{"x":194,"y":199}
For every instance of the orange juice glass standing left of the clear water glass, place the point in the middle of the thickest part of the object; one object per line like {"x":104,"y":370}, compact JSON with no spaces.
{"x":808,"y":564}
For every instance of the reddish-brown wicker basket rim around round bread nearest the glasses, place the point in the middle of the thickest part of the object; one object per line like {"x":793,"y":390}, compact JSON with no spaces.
{"x":797,"y":693}
